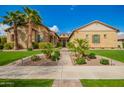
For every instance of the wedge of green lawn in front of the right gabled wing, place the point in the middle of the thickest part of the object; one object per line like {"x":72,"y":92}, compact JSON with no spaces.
{"x":114,"y":54}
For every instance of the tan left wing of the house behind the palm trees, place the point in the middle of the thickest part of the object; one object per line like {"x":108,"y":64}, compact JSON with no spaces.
{"x":39,"y":34}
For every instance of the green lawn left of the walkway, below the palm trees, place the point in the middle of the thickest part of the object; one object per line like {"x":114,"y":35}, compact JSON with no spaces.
{"x":8,"y":57}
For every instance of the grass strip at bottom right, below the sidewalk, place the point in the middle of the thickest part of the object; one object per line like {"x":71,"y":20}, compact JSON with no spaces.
{"x":102,"y":83}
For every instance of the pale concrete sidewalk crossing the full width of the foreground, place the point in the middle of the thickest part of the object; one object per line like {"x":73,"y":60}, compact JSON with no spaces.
{"x":65,"y":72}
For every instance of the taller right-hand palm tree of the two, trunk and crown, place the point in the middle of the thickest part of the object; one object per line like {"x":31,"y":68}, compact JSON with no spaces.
{"x":32,"y":17}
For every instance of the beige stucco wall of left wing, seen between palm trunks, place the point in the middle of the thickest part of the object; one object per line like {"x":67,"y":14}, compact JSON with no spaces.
{"x":23,"y":35}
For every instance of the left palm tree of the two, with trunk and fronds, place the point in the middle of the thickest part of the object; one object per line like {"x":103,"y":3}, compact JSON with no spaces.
{"x":14,"y":19}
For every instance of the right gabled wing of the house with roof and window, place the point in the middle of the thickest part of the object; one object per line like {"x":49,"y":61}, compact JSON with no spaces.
{"x":98,"y":34}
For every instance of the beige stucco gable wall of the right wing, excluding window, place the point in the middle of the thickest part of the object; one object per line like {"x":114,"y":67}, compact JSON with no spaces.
{"x":109,"y":42}
